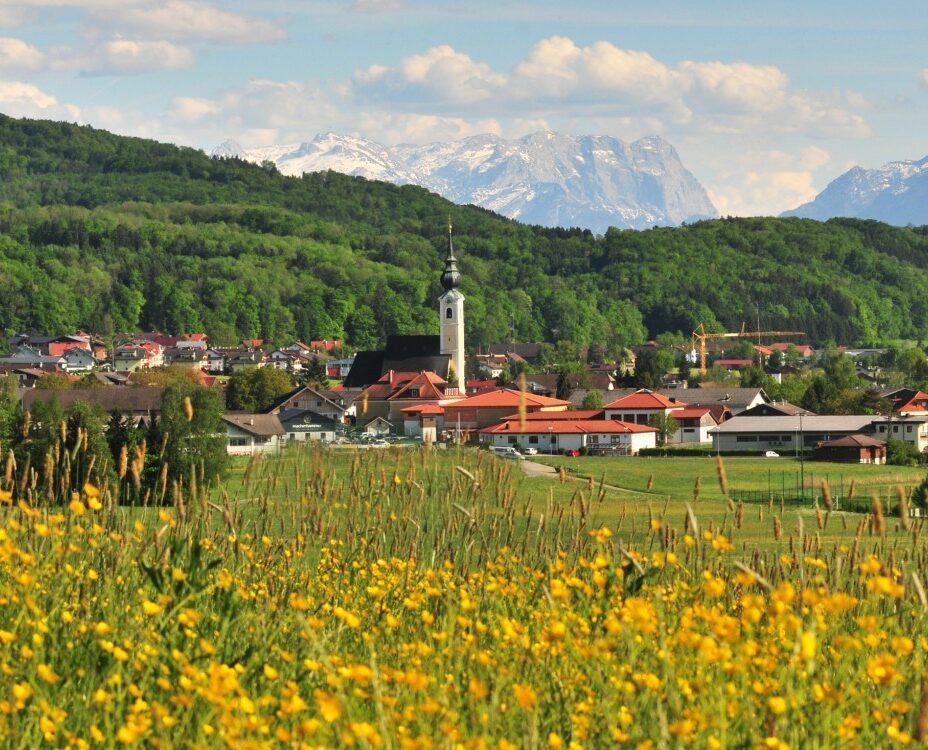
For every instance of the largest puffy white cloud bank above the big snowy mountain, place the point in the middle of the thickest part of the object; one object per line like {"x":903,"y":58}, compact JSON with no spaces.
{"x":603,"y":80}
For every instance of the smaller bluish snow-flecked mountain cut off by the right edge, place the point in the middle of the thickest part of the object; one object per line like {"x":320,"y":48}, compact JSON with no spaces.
{"x":896,"y":193}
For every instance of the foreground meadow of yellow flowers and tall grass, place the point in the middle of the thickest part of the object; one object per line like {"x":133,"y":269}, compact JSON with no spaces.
{"x":423,"y":599}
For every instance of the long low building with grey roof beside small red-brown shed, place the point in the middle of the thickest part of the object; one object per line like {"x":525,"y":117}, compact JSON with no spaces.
{"x":785,"y":433}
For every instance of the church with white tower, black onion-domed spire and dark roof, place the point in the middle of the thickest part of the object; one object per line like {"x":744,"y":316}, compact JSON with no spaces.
{"x":442,"y":354}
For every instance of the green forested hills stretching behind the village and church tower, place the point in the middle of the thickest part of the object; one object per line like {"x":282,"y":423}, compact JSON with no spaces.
{"x":116,"y":234}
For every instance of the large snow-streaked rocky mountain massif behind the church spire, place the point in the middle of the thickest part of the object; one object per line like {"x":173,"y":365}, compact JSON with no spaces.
{"x":544,"y":178}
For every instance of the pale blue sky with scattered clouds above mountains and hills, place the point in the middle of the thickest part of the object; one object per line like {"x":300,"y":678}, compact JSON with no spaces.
{"x":766,"y":101}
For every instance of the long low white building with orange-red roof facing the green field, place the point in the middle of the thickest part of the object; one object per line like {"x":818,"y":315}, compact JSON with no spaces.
{"x":600,"y":436}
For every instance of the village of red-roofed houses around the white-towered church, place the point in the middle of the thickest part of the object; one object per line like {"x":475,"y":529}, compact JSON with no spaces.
{"x":510,"y":397}
